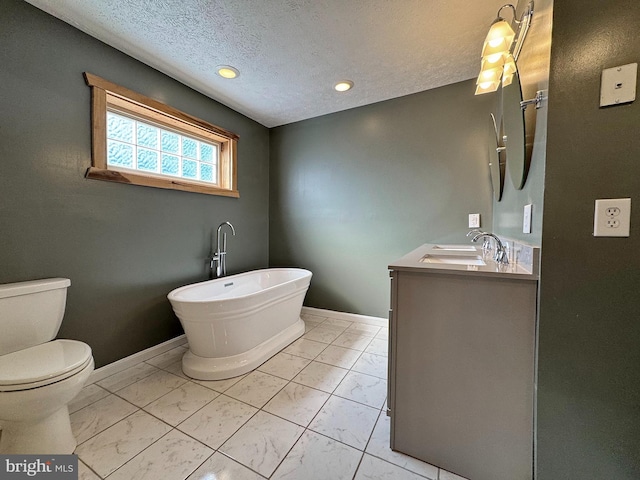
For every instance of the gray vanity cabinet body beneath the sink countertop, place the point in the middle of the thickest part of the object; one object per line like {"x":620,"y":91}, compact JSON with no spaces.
{"x":462,"y":371}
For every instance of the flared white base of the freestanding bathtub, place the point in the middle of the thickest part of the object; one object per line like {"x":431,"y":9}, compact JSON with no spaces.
{"x":222,"y":368}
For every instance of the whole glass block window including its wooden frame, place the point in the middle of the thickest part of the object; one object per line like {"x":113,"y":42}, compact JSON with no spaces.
{"x":138,"y":140}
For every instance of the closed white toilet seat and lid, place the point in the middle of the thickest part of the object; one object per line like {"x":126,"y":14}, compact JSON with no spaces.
{"x":43,"y":364}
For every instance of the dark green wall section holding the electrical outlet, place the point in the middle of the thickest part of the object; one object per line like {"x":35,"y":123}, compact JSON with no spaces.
{"x":589,"y":352}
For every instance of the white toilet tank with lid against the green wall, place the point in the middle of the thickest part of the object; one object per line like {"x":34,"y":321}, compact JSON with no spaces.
{"x":31,"y":312}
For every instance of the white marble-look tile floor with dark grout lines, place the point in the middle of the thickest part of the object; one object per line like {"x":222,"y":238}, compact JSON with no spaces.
{"x":316,"y":410}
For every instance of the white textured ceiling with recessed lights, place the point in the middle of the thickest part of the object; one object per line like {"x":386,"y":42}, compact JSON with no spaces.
{"x":290,"y":53}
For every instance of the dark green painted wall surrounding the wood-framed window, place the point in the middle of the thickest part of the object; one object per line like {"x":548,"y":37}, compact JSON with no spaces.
{"x":123,"y":247}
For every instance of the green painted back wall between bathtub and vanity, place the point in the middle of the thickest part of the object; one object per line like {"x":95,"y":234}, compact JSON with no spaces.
{"x":355,"y":190}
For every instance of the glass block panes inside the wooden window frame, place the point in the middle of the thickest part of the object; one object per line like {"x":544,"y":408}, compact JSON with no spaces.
{"x":138,"y":145}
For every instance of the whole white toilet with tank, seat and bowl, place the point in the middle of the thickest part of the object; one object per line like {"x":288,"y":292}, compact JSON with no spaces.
{"x":38,"y":376}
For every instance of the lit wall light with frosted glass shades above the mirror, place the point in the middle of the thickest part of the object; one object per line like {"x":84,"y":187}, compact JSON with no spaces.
{"x":501,"y":50}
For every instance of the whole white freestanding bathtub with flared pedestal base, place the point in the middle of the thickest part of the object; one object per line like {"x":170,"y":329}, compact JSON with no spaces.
{"x":235,"y":323}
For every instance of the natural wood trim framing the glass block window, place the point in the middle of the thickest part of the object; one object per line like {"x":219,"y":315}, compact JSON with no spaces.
{"x":105,"y":93}
